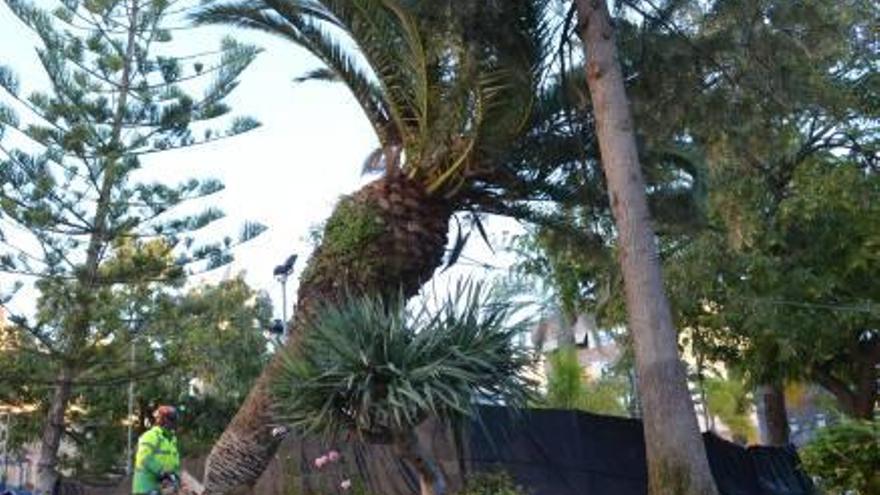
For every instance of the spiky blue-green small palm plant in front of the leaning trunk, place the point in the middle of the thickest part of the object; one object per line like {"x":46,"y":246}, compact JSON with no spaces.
{"x":378,"y":369}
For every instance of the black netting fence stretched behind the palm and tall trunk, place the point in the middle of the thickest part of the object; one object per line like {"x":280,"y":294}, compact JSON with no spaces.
{"x":549,"y":452}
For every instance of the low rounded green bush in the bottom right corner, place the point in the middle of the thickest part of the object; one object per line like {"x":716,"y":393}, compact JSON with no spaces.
{"x":845,"y":458}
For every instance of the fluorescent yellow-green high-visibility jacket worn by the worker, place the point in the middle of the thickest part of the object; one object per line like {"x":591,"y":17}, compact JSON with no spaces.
{"x":157,"y":456}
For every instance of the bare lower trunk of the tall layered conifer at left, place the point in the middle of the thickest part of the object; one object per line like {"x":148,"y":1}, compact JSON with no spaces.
{"x":53,"y":431}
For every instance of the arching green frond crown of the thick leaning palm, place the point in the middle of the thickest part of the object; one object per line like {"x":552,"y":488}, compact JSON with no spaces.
{"x":445,"y":95}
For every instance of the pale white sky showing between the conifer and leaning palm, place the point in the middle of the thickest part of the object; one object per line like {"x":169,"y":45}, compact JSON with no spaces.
{"x":287,"y":174}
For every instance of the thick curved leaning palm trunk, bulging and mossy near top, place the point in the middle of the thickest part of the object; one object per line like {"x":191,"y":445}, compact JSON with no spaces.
{"x":390,"y":236}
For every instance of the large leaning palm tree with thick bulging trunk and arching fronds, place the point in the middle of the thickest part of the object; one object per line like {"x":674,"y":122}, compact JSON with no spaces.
{"x":449,"y":90}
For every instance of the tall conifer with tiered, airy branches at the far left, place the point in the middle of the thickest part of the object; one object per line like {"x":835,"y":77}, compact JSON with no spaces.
{"x":73,"y":196}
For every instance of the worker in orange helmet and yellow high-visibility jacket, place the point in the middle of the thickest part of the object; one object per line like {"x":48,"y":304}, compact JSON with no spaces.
{"x":157,"y":462}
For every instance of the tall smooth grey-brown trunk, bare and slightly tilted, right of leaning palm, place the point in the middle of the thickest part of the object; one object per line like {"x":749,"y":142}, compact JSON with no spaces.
{"x":677,"y":462}
